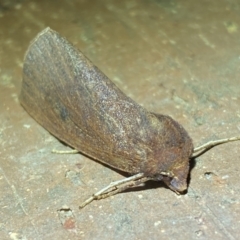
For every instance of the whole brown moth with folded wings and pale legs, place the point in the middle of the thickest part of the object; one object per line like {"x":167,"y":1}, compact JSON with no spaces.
{"x":71,"y":98}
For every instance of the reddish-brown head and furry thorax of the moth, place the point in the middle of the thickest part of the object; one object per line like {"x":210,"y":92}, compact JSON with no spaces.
{"x":171,"y":151}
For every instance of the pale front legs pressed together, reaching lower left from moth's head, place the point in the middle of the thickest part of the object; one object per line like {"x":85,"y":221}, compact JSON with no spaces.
{"x":116,"y":187}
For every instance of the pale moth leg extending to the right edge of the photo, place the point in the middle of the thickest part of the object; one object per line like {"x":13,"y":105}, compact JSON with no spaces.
{"x":201,"y":149}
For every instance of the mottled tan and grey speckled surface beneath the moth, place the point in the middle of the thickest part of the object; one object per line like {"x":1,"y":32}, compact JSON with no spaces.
{"x":180,"y":58}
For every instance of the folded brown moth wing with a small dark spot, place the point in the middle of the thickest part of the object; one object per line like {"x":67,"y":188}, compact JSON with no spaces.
{"x":71,"y":98}
